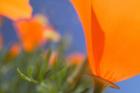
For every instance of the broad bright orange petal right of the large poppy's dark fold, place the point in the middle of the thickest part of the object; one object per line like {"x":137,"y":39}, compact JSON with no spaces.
{"x":120,"y":21}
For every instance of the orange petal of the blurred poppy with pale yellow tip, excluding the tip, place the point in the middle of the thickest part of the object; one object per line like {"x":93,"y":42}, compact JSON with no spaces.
{"x":31,"y":33}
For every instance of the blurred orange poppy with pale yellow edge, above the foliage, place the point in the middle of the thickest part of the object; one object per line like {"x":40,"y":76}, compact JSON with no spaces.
{"x":34,"y":32}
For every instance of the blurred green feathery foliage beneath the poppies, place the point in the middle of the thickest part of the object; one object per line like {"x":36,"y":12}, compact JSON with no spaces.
{"x":33,"y":73}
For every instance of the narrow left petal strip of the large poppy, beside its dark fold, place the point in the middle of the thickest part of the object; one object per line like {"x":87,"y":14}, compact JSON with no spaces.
{"x":84,"y":10}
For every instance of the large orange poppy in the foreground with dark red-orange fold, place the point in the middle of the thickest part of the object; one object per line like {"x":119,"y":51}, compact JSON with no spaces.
{"x":112,"y":33}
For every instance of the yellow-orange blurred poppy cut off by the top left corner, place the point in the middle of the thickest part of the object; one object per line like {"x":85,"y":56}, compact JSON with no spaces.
{"x":15,"y":9}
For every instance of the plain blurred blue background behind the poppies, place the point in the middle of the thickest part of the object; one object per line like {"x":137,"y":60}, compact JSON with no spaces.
{"x":63,"y":18}
